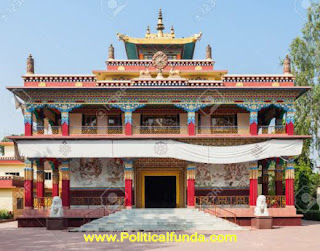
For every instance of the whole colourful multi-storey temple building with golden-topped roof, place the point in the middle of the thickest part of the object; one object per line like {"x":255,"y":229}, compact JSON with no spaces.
{"x":160,"y":129}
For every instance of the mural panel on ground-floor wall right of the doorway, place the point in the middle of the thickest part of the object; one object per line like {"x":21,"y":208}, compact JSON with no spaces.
{"x":229,"y":175}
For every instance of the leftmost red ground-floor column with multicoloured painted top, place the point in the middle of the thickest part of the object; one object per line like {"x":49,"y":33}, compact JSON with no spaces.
{"x":28,"y":185}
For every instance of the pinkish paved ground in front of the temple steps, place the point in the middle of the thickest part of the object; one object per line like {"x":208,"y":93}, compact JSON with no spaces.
{"x":305,"y":237}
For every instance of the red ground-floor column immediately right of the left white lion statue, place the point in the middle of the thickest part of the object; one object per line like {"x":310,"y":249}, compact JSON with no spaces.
{"x":65,"y":188}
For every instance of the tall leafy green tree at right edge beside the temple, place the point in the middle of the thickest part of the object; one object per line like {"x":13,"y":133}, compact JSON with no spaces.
{"x":304,"y":52}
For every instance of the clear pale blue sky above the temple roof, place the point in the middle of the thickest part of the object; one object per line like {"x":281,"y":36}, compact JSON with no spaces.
{"x":72,"y":36}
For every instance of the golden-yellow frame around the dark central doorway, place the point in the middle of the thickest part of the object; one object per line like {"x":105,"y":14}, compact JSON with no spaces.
{"x":159,"y":172}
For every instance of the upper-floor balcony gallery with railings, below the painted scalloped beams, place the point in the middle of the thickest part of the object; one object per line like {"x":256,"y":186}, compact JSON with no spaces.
{"x":157,"y":120}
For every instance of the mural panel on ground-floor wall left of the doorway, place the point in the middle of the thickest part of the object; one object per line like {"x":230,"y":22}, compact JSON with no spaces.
{"x":95,"y":172}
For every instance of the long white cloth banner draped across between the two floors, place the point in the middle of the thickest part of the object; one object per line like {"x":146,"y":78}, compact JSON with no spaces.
{"x":158,"y":149}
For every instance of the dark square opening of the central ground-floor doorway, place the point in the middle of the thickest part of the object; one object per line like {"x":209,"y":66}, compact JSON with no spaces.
{"x":160,"y":191}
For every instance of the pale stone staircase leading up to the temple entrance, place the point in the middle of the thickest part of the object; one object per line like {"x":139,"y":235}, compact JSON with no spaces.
{"x":171,"y":219}
